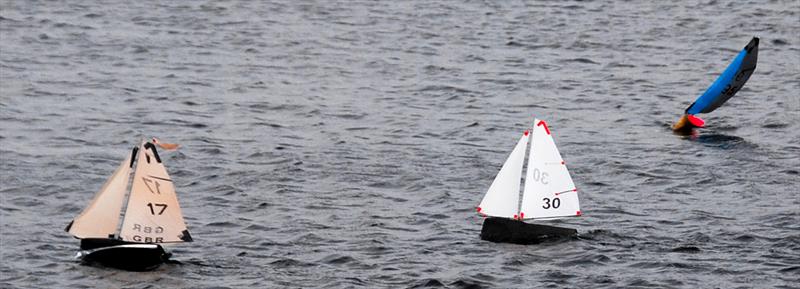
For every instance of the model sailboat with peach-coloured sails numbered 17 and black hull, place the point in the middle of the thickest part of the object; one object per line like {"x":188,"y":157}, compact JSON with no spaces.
{"x":152,"y":216}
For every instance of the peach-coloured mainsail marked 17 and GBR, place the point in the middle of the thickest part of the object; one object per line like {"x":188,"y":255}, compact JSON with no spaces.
{"x":153,"y":214}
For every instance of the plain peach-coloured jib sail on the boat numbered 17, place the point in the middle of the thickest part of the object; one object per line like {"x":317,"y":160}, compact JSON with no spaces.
{"x":101,"y":217}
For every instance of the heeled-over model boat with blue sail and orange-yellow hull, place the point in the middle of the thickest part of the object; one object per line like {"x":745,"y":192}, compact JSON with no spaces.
{"x":732,"y":79}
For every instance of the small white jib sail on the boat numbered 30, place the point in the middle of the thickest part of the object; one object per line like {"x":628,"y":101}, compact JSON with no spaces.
{"x":502,"y":198}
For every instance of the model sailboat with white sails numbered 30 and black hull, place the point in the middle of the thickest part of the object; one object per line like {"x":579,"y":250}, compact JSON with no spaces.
{"x":549,"y":192}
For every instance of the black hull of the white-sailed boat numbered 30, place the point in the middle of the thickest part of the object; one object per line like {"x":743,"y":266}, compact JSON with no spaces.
{"x":502,"y":230}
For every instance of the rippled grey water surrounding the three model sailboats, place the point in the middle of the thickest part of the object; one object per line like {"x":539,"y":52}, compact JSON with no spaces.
{"x":345,"y":144}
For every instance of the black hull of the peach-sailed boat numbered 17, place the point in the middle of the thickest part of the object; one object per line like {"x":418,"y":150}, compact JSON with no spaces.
{"x":131,"y":257}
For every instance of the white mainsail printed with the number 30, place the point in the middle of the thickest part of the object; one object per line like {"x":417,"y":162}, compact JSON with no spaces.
{"x":549,"y":190}
